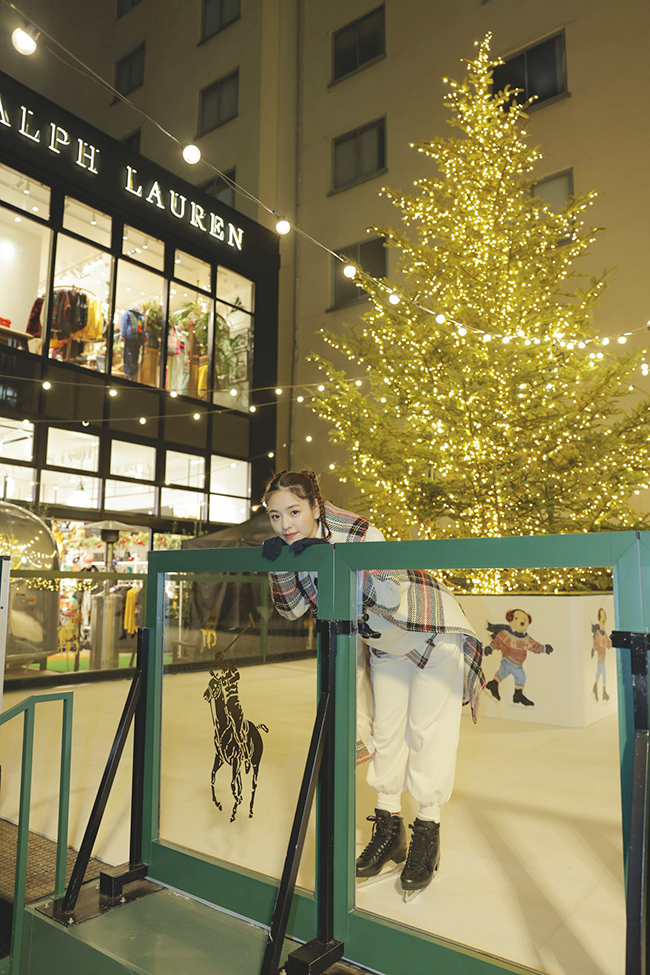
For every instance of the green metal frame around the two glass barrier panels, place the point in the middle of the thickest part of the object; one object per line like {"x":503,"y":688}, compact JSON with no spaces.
{"x":370,"y":941}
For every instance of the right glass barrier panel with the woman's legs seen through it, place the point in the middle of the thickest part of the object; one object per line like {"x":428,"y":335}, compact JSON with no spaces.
{"x":523,"y":807}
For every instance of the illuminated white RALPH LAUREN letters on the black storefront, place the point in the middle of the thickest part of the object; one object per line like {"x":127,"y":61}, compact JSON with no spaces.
{"x":87,"y":156}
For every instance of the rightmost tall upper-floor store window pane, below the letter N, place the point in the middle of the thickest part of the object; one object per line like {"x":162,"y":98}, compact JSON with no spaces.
{"x":233,"y":346}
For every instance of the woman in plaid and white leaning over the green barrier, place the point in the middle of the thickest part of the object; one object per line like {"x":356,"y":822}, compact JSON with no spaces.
{"x":424,"y":660}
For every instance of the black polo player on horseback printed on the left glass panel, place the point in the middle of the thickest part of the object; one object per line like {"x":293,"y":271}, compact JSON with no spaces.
{"x":237,"y":742}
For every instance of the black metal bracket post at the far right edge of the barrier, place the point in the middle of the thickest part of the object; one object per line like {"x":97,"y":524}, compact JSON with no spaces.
{"x":636,"y":951}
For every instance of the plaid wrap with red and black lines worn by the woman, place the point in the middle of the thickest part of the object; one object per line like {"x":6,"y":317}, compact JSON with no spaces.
{"x":424,"y":605}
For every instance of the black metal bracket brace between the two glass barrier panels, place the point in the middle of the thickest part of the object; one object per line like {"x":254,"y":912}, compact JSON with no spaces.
{"x":322,"y":952}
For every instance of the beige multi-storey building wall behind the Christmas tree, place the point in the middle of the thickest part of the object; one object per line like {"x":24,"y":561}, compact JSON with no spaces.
{"x":312,"y":107}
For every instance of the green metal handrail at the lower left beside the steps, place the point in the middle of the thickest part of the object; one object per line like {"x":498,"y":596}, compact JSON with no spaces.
{"x":28,"y":709}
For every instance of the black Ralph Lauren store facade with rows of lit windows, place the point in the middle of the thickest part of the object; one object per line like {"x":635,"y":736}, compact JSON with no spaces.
{"x":138,"y":325}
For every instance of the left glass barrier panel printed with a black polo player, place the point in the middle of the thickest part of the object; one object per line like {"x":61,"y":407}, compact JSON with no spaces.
{"x":238,"y":706}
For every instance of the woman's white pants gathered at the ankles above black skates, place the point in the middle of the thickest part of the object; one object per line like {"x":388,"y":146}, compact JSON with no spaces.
{"x":416,"y":727}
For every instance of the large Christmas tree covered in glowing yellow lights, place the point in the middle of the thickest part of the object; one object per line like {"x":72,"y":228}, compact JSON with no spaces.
{"x":488,"y":405}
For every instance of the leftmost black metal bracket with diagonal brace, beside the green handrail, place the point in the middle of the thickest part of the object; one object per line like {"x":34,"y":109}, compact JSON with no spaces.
{"x":113,"y":880}
